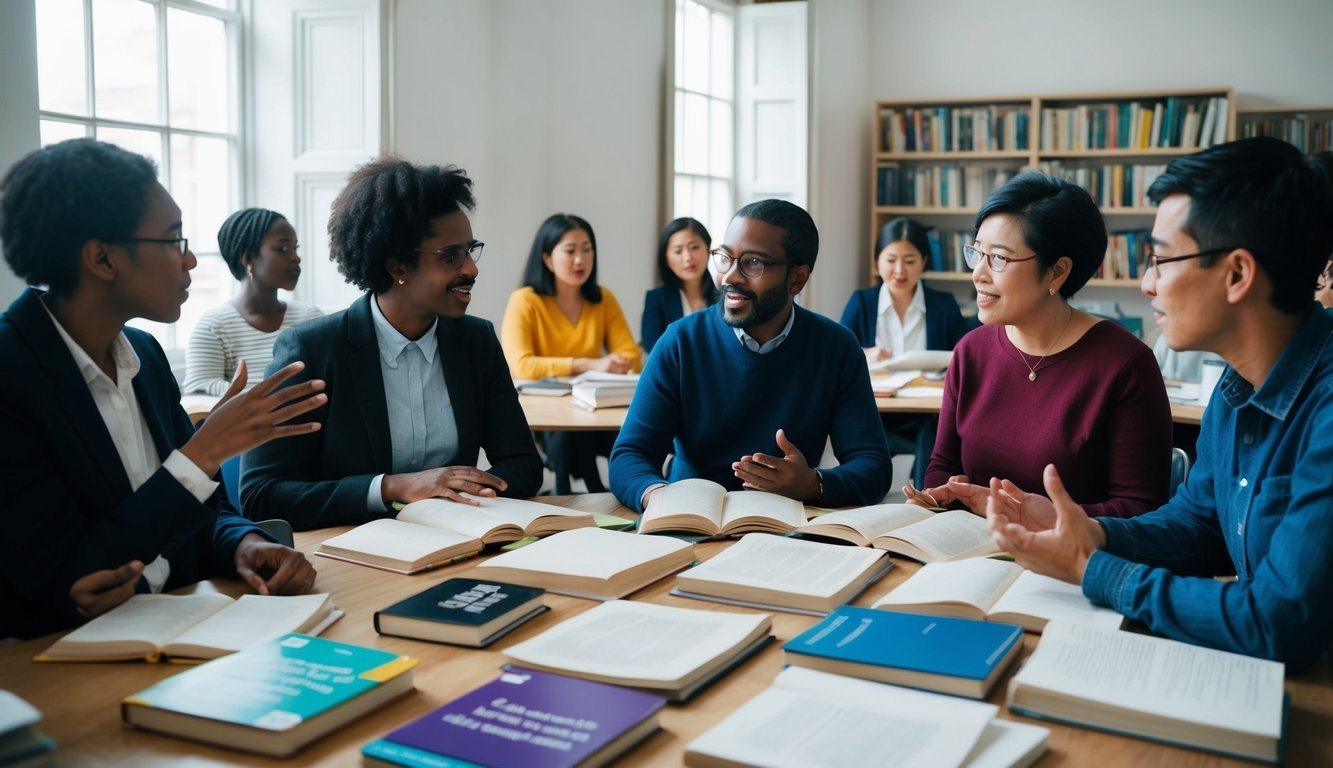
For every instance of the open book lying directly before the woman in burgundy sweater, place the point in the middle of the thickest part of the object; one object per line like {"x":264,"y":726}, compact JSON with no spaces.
{"x":910,"y":531}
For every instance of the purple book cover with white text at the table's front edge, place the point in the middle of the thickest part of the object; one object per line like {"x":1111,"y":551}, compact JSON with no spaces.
{"x":527,"y":718}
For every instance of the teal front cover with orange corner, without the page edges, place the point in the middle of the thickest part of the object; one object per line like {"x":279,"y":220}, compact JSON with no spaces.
{"x":275,"y":686}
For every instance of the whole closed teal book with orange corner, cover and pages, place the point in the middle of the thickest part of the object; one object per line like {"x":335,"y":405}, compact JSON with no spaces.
{"x":273,"y":699}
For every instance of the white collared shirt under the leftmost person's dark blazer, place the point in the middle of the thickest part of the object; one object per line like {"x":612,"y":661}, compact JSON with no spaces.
{"x":125,"y":419}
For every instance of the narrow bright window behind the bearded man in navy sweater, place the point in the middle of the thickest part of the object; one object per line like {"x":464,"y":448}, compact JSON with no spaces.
{"x":704,"y":114}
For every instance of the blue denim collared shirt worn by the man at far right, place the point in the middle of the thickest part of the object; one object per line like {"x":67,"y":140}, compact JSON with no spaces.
{"x":1259,"y":503}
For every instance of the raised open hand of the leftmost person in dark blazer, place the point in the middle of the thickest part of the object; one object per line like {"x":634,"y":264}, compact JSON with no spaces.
{"x":243,"y":421}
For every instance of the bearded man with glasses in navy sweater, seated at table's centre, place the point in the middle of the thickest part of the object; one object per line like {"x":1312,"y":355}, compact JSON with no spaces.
{"x":744,"y":393}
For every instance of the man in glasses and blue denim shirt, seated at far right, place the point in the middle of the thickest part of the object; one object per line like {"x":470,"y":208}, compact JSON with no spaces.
{"x":1242,"y":233}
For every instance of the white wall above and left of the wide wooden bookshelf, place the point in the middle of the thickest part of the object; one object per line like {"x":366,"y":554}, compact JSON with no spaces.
{"x":1272,"y":54}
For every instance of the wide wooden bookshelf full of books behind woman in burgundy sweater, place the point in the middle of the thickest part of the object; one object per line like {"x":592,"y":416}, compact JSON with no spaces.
{"x":938,"y":161}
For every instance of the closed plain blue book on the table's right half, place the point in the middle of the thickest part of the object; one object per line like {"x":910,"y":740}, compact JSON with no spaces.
{"x":956,"y":657}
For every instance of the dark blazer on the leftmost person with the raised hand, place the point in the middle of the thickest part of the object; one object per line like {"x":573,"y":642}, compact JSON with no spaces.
{"x":70,"y":505}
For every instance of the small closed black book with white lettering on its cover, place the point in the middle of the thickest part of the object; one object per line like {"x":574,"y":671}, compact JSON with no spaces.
{"x":462,"y":611}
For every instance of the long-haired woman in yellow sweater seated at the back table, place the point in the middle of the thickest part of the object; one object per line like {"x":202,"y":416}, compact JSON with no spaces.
{"x":563,"y":323}
